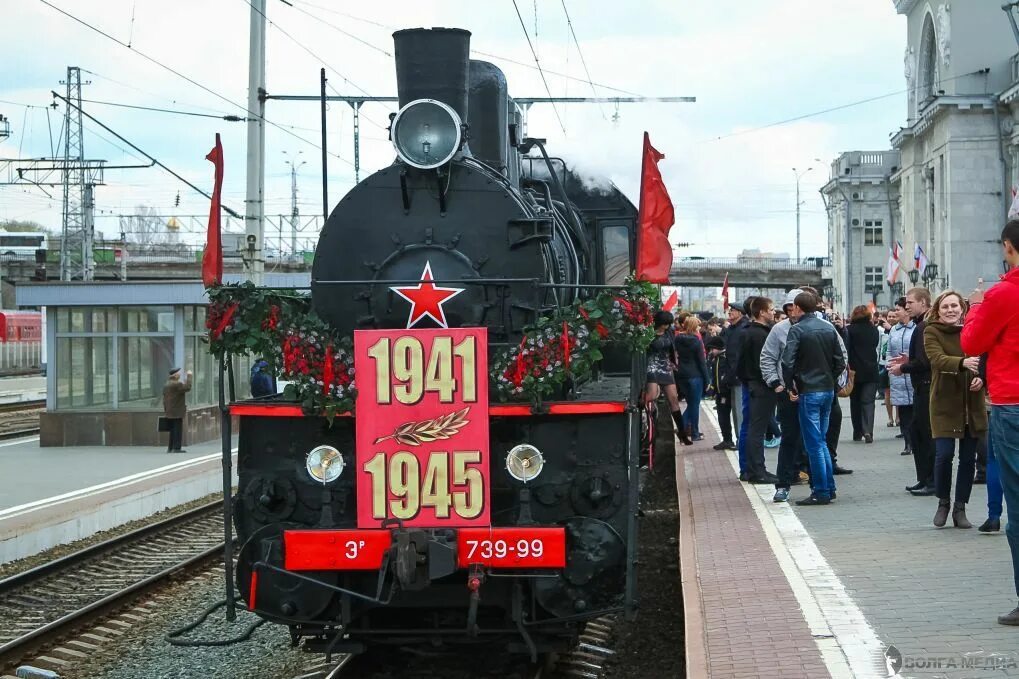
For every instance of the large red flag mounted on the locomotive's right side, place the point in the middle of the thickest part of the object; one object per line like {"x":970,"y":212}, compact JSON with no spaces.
{"x":656,"y":218}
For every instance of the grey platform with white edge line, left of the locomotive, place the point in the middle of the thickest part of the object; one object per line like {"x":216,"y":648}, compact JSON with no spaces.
{"x":56,"y":496}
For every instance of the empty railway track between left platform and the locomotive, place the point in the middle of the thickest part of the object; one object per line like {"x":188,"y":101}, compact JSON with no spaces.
{"x":42,"y":605}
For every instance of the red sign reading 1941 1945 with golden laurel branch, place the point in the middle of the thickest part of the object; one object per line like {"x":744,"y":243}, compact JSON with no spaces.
{"x":422,"y":427}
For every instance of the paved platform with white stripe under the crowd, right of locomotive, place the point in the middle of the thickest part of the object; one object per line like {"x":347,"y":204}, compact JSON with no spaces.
{"x":865,"y":588}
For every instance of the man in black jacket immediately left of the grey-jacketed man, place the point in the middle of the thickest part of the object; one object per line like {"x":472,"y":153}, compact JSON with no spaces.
{"x":763,"y":399}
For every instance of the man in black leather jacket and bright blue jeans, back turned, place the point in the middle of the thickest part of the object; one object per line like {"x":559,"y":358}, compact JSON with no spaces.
{"x":813,"y":362}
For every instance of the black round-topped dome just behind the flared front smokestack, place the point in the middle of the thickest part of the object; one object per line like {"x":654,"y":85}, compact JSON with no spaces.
{"x":489,"y":111}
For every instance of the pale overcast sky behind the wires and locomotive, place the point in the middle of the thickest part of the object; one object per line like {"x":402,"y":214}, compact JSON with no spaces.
{"x":728,"y":168}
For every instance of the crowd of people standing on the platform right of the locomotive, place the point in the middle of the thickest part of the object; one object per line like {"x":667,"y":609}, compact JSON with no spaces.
{"x":948,"y":370}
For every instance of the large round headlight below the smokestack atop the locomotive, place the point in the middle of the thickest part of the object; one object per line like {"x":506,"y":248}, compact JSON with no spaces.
{"x":427,"y":134}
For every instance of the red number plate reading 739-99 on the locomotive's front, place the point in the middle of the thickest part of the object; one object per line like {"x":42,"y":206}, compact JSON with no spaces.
{"x":512,"y":548}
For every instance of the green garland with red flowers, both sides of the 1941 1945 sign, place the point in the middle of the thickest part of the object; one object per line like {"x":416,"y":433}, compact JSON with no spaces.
{"x":303,"y":350}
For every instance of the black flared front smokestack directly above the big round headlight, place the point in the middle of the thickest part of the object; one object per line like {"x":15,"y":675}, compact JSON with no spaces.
{"x":433,"y":64}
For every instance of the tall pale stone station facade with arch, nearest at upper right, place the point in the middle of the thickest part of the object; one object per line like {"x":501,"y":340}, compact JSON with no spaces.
{"x":954,"y":179}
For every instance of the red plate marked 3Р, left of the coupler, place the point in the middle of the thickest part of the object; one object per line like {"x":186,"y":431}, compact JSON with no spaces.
{"x":335,"y":550}
